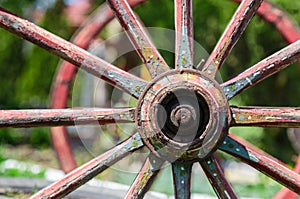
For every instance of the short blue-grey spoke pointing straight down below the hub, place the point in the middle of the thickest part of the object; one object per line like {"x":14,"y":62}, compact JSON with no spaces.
{"x":182,"y":179}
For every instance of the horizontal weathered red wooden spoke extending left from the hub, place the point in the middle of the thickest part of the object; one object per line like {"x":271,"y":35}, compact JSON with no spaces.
{"x":63,"y":117}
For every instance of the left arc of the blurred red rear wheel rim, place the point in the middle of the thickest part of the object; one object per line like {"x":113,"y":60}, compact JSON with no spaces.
{"x":64,"y":78}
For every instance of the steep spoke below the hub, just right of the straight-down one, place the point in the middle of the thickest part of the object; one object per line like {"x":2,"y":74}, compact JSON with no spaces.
{"x":216,"y":177}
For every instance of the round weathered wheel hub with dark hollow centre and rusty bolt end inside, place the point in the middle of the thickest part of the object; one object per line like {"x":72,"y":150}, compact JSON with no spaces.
{"x":183,"y":114}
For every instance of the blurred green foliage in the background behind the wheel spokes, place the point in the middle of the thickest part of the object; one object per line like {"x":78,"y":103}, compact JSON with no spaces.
{"x":26,"y":71}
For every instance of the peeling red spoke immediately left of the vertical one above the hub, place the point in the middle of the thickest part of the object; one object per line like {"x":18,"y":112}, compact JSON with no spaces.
{"x":139,"y":38}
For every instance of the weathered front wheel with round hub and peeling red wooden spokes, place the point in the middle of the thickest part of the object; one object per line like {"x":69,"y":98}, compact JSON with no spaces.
{"x":182,"y":116}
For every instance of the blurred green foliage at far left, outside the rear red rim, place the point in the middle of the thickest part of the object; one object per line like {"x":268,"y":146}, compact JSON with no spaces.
{"x":26,"y":71}
